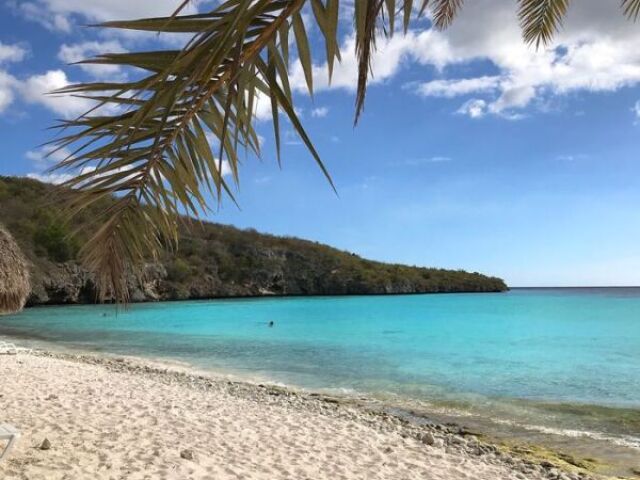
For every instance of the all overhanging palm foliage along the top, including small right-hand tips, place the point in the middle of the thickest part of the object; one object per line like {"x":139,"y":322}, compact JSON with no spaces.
{"x":148,"y":140}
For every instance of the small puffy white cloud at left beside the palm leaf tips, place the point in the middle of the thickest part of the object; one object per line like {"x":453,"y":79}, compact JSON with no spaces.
{"x":37,"y":88}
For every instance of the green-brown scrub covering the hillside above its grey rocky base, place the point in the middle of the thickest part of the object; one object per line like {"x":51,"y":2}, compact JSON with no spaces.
{"x":235,"y":257}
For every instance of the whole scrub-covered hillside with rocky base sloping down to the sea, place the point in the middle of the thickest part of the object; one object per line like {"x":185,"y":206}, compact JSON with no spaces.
{"x":213,"y":260}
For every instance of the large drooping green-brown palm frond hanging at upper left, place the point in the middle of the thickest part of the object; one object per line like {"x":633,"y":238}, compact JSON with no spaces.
{"x":153,"y":153}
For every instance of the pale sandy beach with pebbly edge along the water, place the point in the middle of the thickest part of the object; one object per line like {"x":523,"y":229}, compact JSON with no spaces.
{"x":116,"y":418}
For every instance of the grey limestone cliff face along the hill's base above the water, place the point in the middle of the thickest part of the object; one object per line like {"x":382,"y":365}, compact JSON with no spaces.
{"x":284,"y":273}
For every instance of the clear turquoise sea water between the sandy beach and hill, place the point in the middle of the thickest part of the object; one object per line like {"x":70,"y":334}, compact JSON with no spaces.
{"x":556,"y":359}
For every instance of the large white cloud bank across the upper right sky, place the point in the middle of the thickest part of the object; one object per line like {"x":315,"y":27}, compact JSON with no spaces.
{"x":598,"y":50}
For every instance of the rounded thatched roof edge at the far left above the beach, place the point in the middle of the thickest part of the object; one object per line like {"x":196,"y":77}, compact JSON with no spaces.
{"x":14,"y":275}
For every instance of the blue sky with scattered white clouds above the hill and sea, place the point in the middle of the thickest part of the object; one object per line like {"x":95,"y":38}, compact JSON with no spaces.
{"x":473,"y":152}
